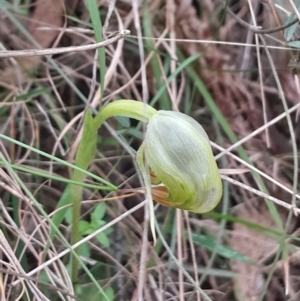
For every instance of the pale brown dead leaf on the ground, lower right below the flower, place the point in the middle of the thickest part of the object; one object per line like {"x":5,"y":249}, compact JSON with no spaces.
{"x":253,"y":244}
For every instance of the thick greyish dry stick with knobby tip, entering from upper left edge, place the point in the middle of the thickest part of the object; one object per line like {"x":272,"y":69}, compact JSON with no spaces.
{"x":51,"y":51}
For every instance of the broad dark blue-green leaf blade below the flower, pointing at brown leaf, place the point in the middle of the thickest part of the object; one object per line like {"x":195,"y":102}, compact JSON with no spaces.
{"x":209,"y":243}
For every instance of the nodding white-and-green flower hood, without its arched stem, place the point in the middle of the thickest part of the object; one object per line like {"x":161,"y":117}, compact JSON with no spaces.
{"x":177,"y":153}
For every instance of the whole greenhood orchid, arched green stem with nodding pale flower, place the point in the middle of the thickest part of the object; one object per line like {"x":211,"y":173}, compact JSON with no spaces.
{"x":175,"y":159}
